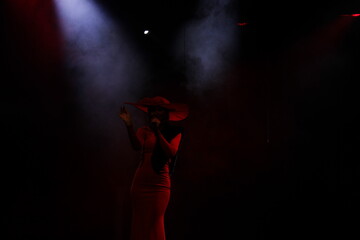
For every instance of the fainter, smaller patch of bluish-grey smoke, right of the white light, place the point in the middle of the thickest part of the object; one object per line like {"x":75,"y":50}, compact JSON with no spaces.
{"x":208,"y":43}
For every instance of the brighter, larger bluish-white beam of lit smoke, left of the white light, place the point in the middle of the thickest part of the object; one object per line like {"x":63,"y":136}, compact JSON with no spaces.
{"x":103,"y":65}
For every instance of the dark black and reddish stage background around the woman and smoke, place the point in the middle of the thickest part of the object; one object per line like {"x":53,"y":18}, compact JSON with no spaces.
{"x":271,"y":152}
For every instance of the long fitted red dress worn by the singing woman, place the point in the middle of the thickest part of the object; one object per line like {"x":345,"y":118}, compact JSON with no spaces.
{"x":150,"y":191}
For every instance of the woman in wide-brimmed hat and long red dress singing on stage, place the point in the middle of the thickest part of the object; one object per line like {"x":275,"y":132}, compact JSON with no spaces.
{"x":158,"y":144}
